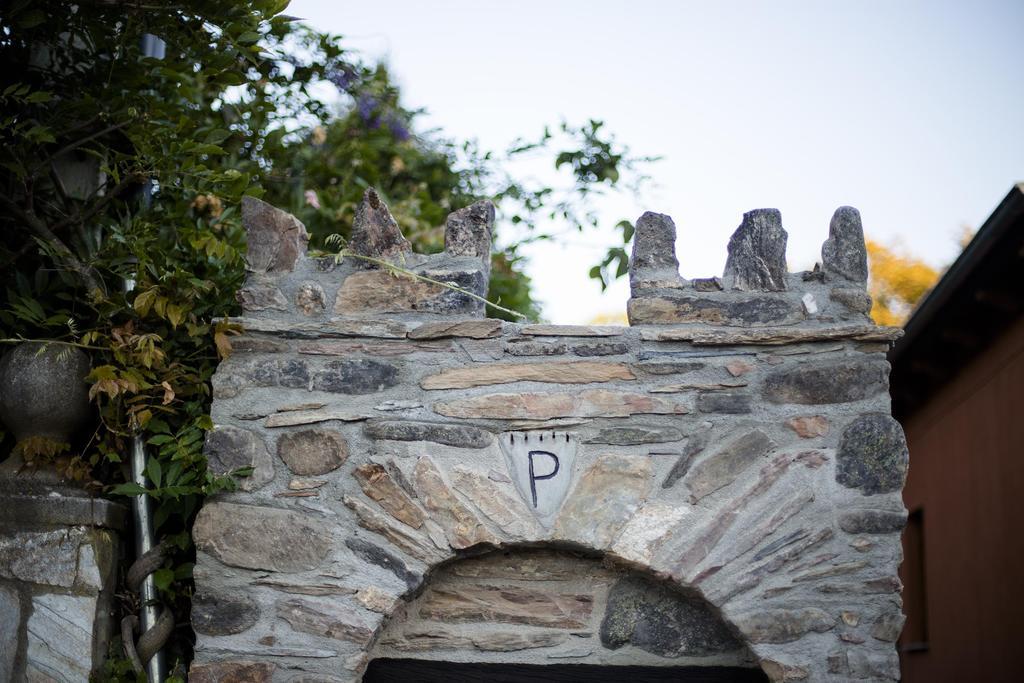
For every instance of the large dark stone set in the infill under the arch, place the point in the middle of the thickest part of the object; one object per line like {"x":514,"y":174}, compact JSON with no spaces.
{"x":663,"y":621}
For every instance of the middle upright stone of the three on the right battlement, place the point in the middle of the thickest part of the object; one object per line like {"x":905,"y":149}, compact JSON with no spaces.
{"x":757,"y":253}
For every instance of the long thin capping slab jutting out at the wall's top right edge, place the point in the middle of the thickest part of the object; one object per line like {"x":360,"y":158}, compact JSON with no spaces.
{"x":704,"y":336}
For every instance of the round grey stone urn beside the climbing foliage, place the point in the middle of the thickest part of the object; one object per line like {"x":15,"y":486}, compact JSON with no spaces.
{"x":44,"y":394}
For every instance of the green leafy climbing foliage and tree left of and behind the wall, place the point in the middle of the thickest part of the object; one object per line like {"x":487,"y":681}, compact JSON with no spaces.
{"x":115,"y":165}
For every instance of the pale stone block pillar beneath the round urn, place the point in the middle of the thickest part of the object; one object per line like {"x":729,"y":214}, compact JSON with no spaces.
{"x":59,"y":559}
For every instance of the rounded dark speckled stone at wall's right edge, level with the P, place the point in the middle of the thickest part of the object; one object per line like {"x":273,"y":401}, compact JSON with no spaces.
{"x":873,"y":455}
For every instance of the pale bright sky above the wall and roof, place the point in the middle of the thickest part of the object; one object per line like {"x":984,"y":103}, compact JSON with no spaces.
{"x":910,"y":111}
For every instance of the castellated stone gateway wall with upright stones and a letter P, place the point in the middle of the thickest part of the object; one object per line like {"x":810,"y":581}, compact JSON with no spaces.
{"x":718,"y":484}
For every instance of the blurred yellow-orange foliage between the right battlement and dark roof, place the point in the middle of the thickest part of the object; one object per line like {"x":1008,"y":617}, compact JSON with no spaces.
{"x":898,"y":283}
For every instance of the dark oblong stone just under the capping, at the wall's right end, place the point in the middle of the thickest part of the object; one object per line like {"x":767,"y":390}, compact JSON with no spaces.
{"x":838,"y":382}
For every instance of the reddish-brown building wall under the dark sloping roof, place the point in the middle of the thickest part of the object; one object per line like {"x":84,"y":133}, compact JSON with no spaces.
{"x":967,"y":476}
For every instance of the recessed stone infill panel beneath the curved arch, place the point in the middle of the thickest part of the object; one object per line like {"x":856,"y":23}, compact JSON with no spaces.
{"x":542,"y":606}
